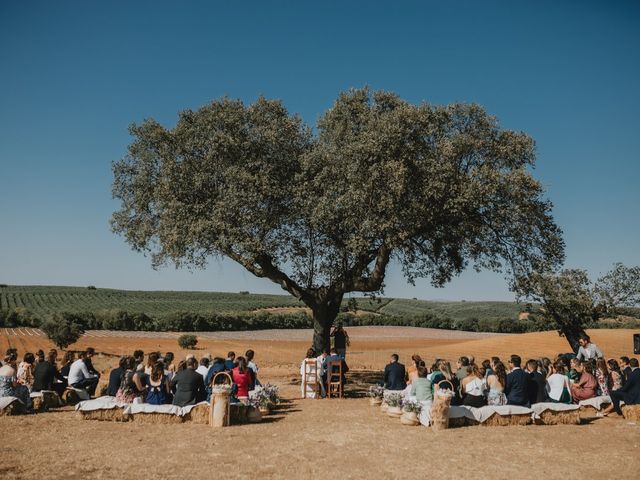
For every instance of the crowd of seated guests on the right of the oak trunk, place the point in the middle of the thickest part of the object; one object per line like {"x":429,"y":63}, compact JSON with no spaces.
{"x":567,"y":379}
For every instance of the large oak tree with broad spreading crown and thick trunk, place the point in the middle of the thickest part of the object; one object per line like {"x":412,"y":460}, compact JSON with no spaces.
{"x":323,"y":212}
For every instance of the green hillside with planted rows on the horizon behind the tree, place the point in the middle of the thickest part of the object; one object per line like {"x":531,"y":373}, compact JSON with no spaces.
{"x":44,"y":301}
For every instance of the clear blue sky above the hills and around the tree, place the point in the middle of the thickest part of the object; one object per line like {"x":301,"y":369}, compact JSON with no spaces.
{"x":74,"y":75}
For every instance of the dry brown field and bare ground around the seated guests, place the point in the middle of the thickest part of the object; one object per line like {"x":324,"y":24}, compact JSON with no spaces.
{"x":331,"y":438}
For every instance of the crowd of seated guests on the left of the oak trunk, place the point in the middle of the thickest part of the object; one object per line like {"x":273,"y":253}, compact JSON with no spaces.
{"x":157,"y":381}
